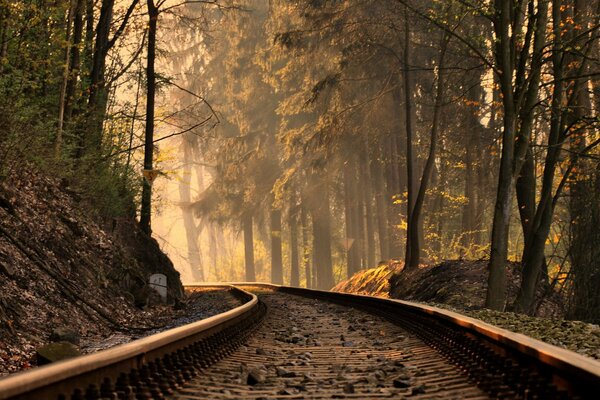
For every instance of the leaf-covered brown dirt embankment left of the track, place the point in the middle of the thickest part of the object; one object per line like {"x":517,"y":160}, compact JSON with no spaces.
{"x":58,"y":268}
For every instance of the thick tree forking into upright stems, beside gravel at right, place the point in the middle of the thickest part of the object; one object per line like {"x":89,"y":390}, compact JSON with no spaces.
{"x":518,"y":97}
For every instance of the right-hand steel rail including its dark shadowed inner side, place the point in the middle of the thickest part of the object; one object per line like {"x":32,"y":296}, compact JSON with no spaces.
{"x":570,"y":371}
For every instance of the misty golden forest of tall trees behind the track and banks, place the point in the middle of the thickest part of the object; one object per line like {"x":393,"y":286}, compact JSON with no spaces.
{"x":325,"y":136}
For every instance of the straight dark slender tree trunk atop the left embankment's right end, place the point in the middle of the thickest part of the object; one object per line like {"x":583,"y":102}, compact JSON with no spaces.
{"x":146,"y":210}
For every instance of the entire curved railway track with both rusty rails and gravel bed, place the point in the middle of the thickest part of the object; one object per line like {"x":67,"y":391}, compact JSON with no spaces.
{"x":297,"y":343}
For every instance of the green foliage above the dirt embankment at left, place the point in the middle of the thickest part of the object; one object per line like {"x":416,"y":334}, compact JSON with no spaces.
{"x":33,"y":47}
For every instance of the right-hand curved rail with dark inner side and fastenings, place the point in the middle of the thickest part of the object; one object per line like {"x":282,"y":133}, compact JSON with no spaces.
{"x":529,"y":361}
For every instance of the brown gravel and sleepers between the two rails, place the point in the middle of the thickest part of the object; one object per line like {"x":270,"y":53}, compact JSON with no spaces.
{"x":310,"y":349}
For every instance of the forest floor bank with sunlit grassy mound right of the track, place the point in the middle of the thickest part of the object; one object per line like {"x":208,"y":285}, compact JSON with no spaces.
{"x":460,"y":286}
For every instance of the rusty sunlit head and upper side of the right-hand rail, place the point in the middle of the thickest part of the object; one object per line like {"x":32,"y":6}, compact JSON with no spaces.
{"x":569,"y":363}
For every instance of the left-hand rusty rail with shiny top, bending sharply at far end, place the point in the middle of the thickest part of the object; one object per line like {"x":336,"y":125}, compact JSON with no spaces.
{"x":50,"y":381}
